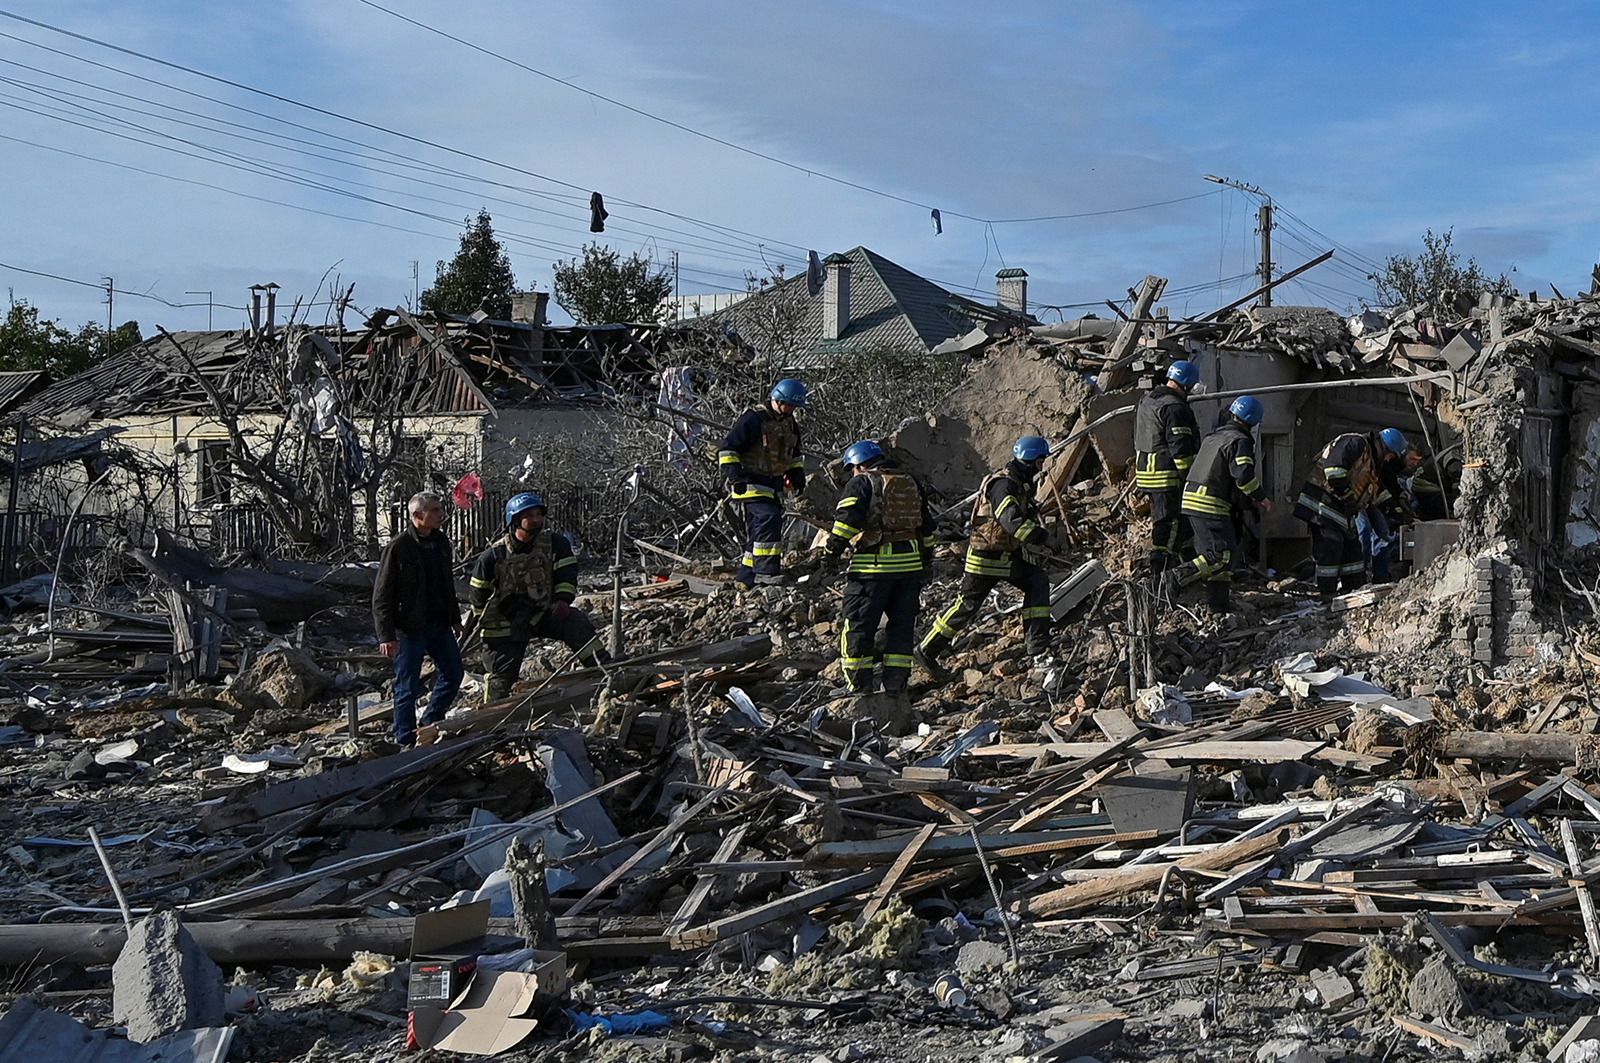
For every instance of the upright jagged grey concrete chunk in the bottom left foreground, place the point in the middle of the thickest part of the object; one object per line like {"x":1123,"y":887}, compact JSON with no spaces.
{"x":162,"y":981}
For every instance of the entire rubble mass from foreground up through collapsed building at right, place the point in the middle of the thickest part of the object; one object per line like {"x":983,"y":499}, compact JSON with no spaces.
{"x":1367,"y":830}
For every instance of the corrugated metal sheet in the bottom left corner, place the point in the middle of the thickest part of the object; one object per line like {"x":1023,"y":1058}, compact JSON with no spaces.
{"x":36,"y":1035}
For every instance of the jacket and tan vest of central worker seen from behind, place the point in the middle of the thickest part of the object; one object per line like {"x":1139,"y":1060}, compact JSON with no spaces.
{"x":886,"y":515}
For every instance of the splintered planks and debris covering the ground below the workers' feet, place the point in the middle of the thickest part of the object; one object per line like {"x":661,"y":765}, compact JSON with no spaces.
{"x":1126,"y":867}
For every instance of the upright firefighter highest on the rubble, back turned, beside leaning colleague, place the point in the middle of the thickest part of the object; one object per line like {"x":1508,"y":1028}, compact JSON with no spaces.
{"x":1166,"y":441}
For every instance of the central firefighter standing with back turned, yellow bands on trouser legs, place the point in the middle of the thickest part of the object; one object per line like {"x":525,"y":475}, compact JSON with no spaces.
{"x":884,"y":513}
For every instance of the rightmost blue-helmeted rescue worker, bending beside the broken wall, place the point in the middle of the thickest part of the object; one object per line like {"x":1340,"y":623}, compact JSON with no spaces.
{"x":1353,"y":473}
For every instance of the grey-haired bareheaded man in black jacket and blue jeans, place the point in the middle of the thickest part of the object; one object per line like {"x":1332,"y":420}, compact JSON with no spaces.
{"x":417,"y":616}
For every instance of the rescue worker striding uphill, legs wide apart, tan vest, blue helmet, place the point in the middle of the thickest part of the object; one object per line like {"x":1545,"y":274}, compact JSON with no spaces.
{"x":1007,"y":544}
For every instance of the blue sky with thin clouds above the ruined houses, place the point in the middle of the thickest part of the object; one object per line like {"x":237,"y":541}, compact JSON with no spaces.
{"x":1367,"y":122}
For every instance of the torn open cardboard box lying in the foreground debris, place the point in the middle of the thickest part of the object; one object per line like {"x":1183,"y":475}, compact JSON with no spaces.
{"x":460,"y":1006}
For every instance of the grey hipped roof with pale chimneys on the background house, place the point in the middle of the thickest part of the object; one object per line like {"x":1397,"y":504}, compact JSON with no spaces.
{"x":865,"y":303}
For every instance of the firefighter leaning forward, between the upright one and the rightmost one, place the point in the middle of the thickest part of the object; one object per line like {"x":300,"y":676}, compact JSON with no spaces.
{"x":1222,"y":479}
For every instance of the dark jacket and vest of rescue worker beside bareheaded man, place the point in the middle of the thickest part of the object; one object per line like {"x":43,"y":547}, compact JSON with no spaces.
{"x":514,"y":582}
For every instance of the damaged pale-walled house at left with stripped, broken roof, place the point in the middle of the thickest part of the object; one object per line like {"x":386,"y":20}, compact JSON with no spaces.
{"x":402,"y":404}
